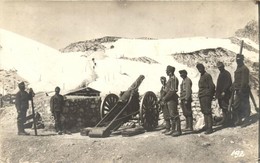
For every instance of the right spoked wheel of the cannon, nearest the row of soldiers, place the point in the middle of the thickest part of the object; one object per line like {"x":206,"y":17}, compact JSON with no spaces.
{"x":149,"y":113}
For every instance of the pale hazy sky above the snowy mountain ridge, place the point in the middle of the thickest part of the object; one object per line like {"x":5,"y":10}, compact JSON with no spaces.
{"x":57,"y":24}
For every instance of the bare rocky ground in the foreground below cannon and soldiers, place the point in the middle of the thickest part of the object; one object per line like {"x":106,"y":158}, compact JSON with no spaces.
{"x":224,"y":145}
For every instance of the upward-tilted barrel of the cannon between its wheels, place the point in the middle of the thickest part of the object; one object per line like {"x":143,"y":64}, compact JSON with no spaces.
{"x":133,"y":88}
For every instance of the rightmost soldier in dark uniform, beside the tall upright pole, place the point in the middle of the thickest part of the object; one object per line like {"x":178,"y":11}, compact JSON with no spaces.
{"x":241,"y":89}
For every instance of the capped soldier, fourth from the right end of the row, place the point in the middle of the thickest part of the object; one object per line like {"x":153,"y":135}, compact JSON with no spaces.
{"x":186,"y":99}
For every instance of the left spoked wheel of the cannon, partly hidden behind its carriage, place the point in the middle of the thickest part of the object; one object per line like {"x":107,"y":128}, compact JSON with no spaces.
{"x":107,"y":104}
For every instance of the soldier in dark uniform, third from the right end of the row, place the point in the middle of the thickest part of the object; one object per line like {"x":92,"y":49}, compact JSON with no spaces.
{"x":206,"y":93}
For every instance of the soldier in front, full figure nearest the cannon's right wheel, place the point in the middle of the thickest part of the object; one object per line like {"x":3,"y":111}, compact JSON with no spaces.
{"x":170,"y":99}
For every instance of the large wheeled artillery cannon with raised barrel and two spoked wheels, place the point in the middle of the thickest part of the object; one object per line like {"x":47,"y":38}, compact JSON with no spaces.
{"x":116,"y":110}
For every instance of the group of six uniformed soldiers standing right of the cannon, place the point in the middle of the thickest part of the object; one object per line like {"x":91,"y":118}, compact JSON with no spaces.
{"x":228,"y":94}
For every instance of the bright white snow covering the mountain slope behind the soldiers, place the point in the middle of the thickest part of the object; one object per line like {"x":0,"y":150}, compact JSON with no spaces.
{"x":45,"y":68}
